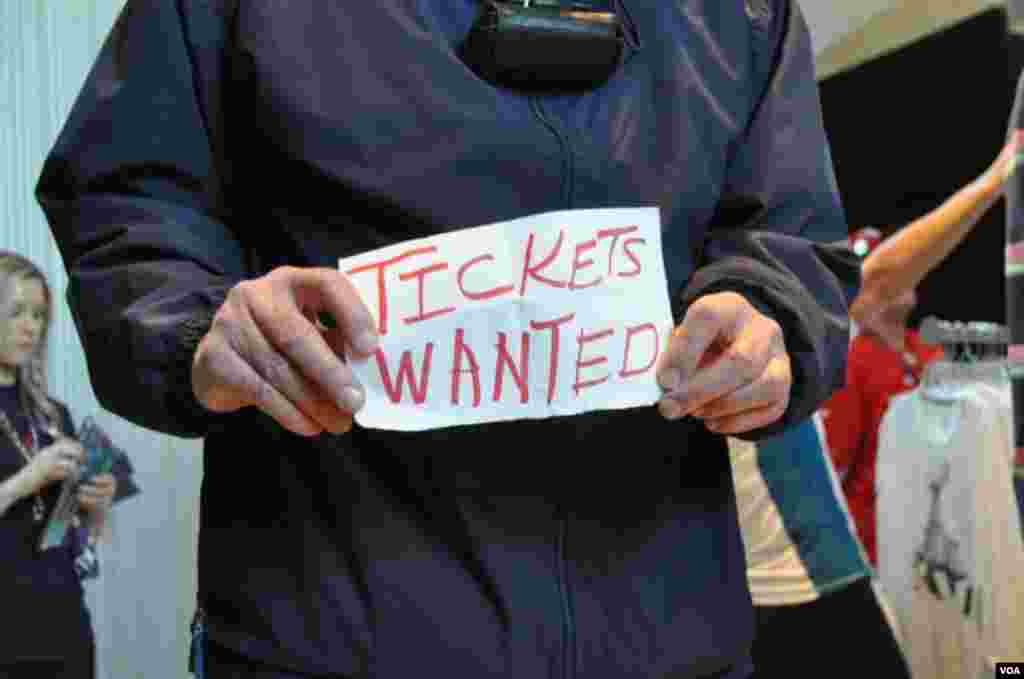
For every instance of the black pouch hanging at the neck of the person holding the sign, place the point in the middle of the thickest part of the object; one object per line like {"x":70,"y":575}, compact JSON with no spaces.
{"x":545,"y":46}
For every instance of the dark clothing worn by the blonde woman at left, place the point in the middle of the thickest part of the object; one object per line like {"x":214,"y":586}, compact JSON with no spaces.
{"x":45,"y":614}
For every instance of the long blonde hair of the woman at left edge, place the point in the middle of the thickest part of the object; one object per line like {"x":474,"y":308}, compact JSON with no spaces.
{"x":31,"y":378}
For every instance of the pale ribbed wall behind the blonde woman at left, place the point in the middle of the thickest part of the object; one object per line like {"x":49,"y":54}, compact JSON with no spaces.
{"x":143,"y":603}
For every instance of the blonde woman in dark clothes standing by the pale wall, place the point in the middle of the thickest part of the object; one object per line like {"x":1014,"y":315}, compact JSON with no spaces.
{"x":48,"y":631}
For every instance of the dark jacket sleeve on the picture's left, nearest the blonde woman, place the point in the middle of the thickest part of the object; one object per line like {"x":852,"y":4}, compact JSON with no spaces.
{"x":132,"y":191}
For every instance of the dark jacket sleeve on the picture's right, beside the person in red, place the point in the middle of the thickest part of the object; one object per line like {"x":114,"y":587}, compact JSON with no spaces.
{"x":779,"y":237}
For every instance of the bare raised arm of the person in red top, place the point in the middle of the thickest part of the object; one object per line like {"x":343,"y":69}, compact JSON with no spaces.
{"x":904,"y":260}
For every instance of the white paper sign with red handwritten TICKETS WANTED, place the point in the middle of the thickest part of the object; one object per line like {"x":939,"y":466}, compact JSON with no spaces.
{"x":556,"y":314}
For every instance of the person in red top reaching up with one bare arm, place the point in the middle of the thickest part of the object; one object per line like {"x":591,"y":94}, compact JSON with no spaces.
{"x":887,"y":358}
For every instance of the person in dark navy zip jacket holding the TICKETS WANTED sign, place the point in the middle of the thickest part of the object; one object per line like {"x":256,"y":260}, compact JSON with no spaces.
{"x":224,"y":156}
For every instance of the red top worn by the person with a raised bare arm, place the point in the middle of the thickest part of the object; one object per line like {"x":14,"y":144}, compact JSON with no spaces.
{"x":852,"y":416}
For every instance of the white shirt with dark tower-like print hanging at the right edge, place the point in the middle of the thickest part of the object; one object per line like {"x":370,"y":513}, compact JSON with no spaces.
{"x":950,"y":545}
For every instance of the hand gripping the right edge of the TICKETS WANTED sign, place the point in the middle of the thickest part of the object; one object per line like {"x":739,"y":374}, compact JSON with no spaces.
{"x":727,"y":364}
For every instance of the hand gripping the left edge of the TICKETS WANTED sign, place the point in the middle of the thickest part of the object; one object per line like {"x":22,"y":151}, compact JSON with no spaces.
{"x":266,"y":350}
